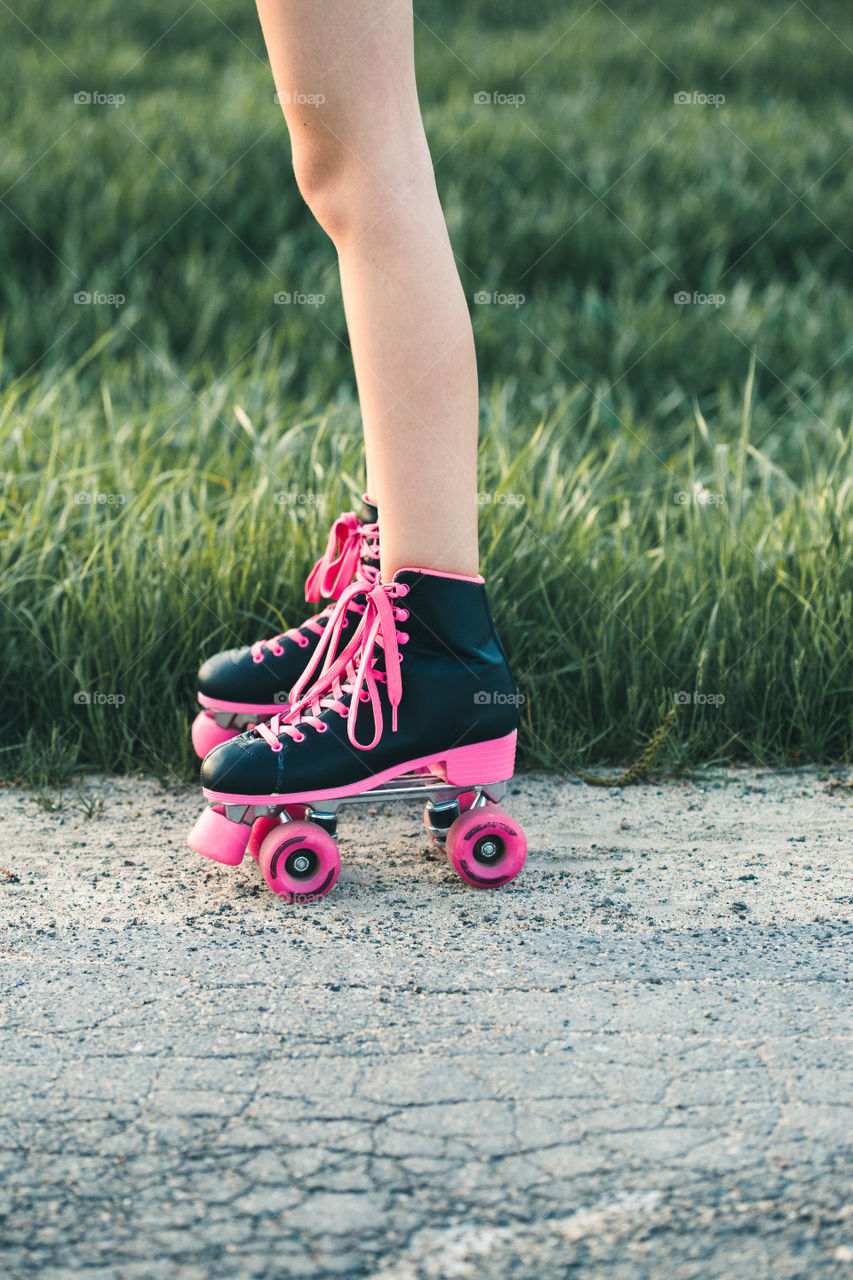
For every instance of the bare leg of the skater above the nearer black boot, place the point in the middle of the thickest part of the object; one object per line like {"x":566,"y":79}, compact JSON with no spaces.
{"x":363,"y":164}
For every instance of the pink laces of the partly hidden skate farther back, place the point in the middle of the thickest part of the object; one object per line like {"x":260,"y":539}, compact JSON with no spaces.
{"x":343,"y":560}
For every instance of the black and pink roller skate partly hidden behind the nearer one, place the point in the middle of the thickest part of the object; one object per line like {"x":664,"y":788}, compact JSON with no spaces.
{"x":241,"y":687}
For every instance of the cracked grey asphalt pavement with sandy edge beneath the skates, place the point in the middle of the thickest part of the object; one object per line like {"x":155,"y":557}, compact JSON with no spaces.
{"x":635,"y":1062}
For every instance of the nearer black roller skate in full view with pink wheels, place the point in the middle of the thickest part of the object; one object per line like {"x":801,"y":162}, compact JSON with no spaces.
{"x":418,"y":703}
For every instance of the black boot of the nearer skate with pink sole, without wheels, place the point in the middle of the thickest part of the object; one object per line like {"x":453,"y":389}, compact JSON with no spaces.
{"x":423,"y":684}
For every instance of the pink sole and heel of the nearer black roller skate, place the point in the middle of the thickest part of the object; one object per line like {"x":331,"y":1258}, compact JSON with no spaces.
{"x":472,"y":766}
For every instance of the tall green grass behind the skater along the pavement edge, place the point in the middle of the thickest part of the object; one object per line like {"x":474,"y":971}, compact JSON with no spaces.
{"x":191,"y":406}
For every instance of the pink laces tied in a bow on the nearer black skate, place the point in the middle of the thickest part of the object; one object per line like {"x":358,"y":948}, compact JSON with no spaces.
{"x":352,"y":671}
